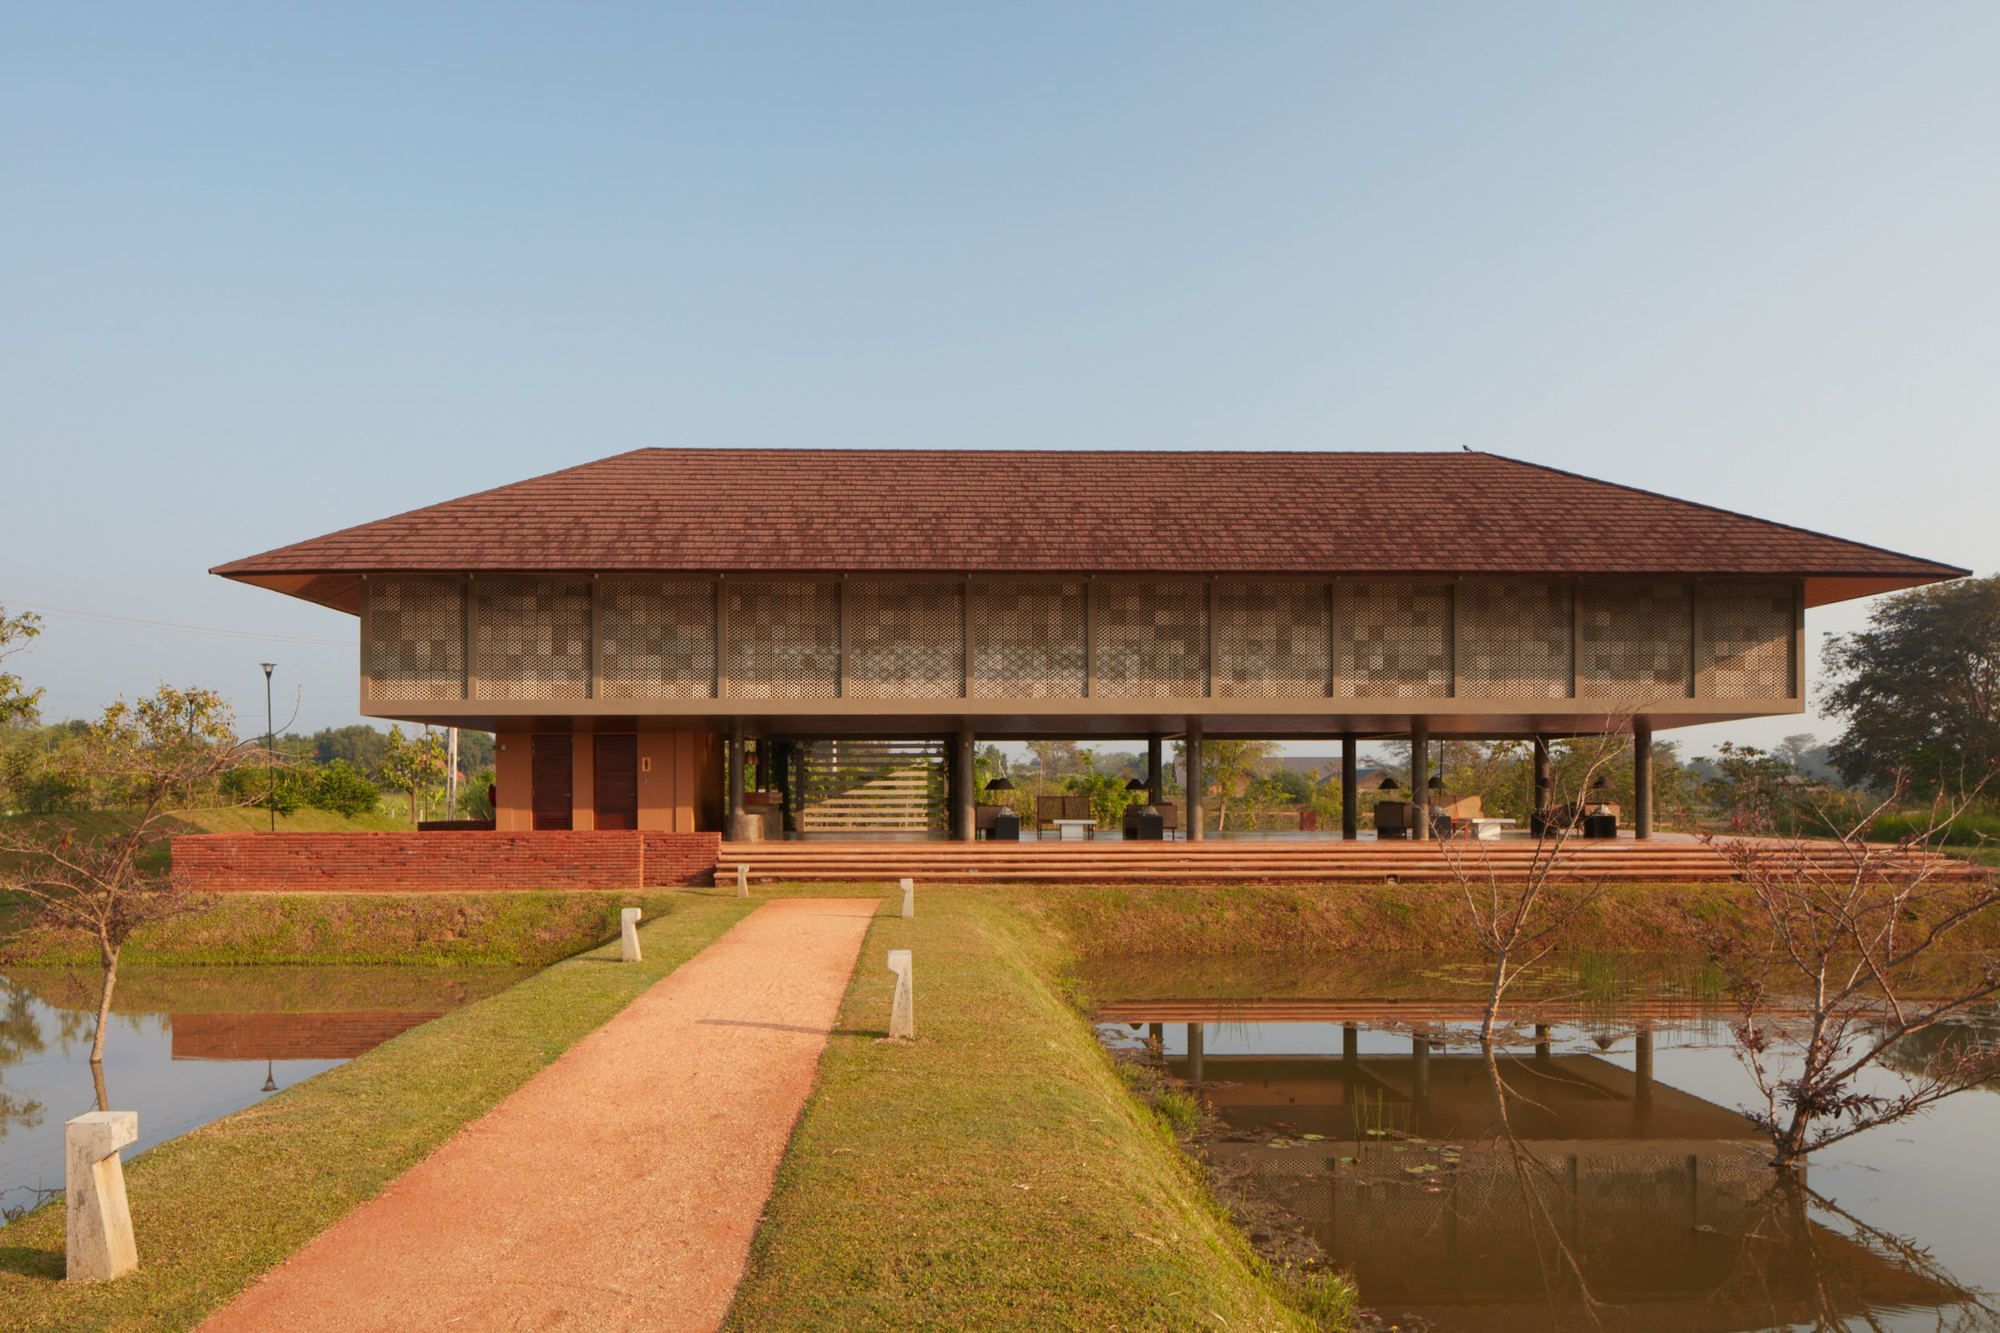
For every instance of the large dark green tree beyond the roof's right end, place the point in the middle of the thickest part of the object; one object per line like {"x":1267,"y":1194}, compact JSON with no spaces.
{"x":1921,"y":688}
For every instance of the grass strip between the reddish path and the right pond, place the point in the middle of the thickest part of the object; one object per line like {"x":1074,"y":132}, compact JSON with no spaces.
{"x":995,"y":1172}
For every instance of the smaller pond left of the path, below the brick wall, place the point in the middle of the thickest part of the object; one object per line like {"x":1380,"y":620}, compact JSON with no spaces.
{"x":191,"y":1046}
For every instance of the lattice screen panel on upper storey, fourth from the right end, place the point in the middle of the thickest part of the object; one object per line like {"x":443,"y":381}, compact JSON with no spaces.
{"x":1393,"y":639}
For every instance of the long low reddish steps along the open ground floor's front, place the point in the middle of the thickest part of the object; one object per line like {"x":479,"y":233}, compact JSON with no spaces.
{"x":1251,"y":862}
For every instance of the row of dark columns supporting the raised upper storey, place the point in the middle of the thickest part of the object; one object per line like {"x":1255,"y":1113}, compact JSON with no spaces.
{"x":963,"y":796}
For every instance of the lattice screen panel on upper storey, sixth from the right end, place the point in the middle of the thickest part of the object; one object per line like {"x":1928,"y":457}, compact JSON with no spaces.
{"x":1149,"y":637}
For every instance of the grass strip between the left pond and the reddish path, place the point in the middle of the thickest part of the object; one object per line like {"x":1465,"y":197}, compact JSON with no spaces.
{"x":225,"y":1204}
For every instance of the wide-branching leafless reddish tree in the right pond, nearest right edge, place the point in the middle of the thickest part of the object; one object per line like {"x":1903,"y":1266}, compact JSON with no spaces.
{"x":1853,"y":956}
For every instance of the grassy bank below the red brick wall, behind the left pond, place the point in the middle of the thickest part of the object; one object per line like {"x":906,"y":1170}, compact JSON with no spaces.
{"x":445,"y":930}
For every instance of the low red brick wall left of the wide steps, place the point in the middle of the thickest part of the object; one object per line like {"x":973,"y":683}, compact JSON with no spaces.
{"x":441,"y":862}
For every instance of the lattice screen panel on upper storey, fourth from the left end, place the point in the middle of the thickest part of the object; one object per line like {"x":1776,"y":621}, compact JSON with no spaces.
{"x":783,"y":637}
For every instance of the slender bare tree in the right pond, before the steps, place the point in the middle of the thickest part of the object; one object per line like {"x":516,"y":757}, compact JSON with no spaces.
{"x":1517,"y":912}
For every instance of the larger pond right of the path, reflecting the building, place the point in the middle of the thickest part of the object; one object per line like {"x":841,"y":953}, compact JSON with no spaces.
{"x":1603,"y":1150}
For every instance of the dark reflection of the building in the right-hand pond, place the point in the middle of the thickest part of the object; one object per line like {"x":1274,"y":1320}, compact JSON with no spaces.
{"x":1661,"y":1200}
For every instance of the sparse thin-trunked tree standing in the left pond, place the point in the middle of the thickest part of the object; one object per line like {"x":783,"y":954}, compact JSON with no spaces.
{"x":153,"y":760}
